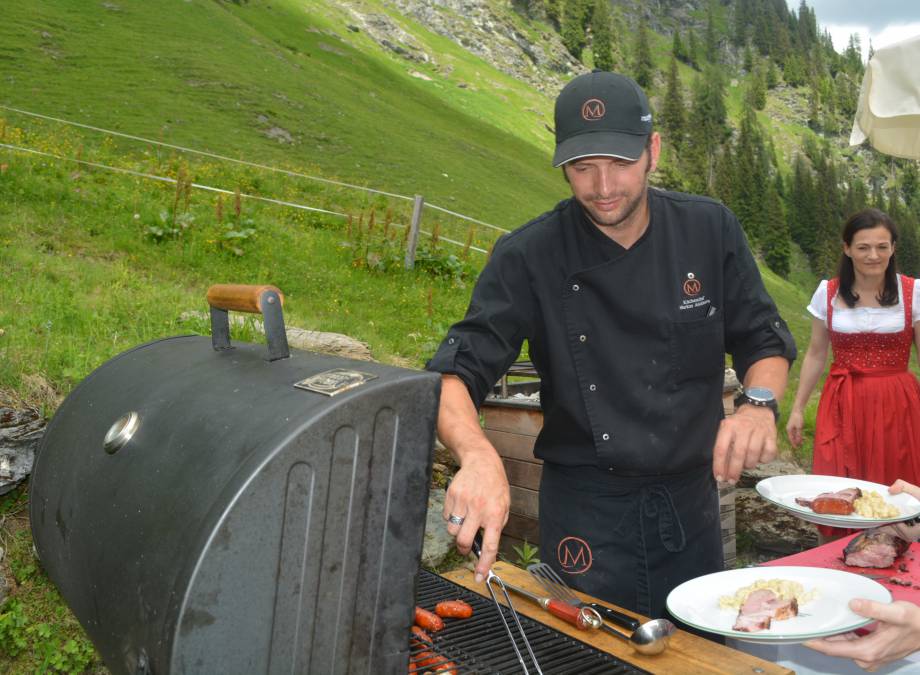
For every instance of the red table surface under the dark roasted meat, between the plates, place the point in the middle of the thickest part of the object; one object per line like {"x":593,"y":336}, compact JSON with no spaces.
{"x":830,"y":556}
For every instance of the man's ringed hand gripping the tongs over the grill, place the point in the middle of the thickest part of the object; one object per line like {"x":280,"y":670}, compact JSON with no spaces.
{"x":479,"y":493}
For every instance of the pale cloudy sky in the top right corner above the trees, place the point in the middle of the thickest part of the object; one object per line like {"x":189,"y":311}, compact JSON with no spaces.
{"x":884,"y":21}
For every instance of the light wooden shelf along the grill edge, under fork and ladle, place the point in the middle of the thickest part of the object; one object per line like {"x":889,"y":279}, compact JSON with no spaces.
{"x":687,"y":654}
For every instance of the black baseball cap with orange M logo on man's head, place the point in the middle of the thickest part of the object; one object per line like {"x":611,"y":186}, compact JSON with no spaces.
{"x":601,"y":113}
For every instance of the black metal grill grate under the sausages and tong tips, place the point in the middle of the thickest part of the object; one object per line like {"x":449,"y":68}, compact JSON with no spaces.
{"x":481,"y":645}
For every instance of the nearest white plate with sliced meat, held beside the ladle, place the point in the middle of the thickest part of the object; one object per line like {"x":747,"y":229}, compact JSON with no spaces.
{"x":696,"y":602}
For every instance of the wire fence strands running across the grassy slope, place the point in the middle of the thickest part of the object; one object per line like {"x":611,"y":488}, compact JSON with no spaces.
{"x":416,"y":222}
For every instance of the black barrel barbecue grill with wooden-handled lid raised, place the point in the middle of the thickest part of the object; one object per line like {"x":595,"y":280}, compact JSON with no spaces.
{"x":213,"y":508}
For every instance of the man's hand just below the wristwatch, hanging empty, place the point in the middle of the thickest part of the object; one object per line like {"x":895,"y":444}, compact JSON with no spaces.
{"x":745,"y":439}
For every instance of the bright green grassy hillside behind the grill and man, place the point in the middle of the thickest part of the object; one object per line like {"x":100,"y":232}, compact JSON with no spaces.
{"x":96,"y":262}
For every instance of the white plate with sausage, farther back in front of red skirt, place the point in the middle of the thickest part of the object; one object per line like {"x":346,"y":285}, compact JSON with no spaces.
{"x":782,"y":491}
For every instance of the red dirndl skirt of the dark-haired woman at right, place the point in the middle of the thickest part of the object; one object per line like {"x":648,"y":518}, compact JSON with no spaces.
{"x":868,"y":427}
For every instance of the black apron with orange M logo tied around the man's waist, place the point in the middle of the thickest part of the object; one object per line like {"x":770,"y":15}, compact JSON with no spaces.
{"x":629,"y":540}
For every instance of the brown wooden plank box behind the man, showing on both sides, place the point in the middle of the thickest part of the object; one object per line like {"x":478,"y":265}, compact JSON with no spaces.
{"x":512,"y":426}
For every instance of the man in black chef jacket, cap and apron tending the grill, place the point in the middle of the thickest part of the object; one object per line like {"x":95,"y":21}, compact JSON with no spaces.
{"x":629,"y":298}
